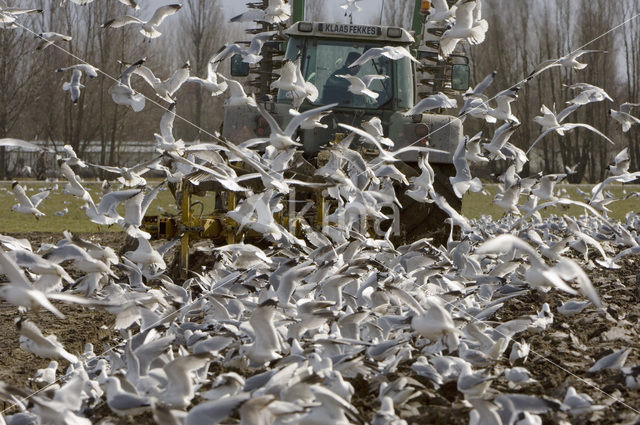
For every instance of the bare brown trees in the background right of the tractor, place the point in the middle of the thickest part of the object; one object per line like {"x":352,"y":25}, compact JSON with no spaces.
{"x":527,"y":33}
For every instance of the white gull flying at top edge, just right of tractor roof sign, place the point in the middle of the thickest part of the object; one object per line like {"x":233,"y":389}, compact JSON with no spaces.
{"x":465,"y":28}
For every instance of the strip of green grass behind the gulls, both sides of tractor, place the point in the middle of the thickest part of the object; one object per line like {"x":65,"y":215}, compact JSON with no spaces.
{"x":474,"y":205}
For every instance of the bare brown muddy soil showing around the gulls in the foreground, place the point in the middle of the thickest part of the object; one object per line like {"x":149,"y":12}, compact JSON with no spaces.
{"x":560,"y":356}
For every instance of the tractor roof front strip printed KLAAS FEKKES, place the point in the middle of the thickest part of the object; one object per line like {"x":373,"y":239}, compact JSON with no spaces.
{"x":394,"y":35}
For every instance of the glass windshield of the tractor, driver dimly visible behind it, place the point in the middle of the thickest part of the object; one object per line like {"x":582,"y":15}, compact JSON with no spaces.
{"x":324,"y":60}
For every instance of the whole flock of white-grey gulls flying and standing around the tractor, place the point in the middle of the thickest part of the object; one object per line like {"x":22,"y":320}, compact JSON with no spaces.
{"x":330,"y":326}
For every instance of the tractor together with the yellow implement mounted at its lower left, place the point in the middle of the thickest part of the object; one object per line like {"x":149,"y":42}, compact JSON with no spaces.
{"x":323,"y":48}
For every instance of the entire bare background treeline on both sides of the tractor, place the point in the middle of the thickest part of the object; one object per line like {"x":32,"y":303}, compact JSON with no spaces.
{"x":33,"y":105}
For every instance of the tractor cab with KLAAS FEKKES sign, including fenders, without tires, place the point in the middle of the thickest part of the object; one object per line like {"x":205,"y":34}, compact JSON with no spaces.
{"x":325,"y":51}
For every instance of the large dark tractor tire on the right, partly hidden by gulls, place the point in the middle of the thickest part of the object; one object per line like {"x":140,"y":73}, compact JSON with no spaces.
{"x":418,"y":219}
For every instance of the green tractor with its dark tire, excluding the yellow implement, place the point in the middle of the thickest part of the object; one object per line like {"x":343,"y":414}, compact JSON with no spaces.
{"x":325,"y":49}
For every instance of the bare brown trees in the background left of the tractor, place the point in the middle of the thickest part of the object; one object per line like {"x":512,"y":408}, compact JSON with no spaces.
{"x":33,"y":105}
